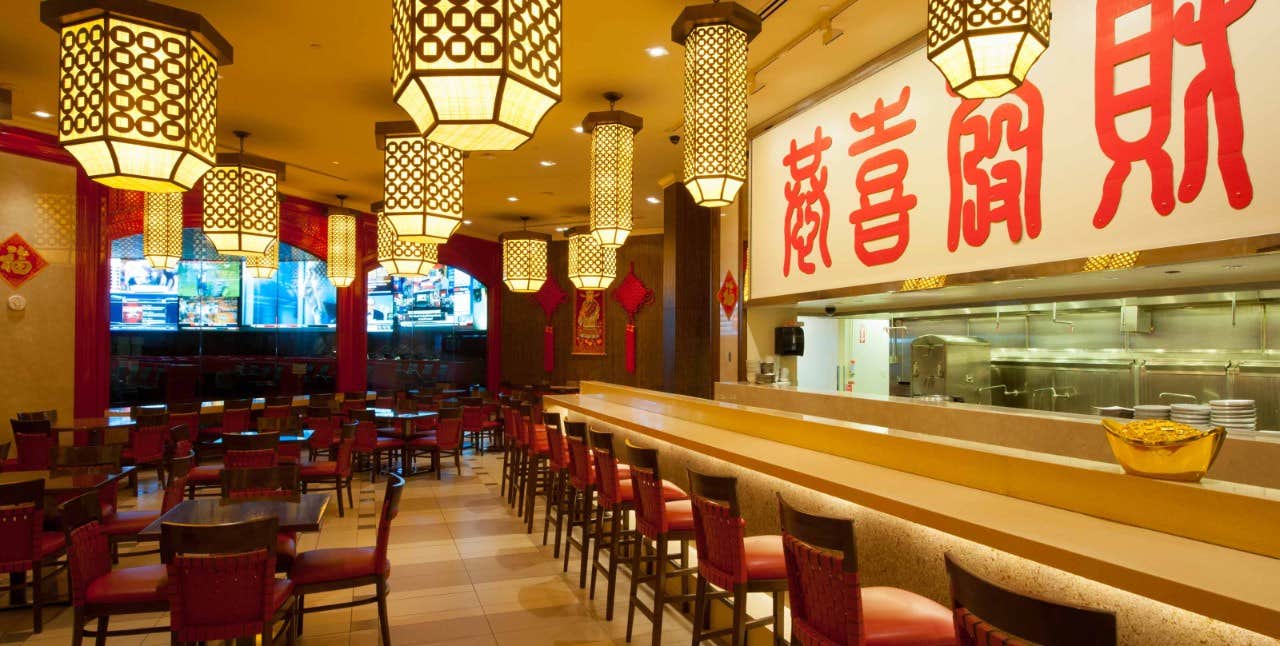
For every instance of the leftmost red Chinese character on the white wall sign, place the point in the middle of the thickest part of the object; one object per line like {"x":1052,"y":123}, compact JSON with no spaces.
{"x":808,"y":208}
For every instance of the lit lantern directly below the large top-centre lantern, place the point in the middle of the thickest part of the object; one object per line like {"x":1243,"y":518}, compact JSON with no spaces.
{"x":422,"y":184}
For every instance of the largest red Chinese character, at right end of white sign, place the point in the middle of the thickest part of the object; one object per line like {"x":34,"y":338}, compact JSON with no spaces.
{"x":1218,"y":79}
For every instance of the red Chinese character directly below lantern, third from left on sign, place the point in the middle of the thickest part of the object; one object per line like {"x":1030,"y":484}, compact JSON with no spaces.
{"x":1005,"y":193}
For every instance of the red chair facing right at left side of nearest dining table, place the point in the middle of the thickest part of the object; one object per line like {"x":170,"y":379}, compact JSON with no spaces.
{"x":97,"y":590}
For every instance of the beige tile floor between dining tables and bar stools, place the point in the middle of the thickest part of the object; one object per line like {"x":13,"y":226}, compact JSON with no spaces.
{"x":464,"y":571}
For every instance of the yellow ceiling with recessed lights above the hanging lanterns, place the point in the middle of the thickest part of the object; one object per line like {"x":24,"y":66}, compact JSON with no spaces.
{"x":312,"y":77}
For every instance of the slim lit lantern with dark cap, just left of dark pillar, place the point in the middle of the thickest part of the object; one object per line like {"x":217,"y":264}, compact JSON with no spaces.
{"x":614,"y":135}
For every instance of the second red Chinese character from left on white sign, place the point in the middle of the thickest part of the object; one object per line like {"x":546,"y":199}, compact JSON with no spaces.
{"x":883,"y":217}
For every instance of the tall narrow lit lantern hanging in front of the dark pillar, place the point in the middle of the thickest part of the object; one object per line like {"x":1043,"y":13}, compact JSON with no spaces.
{"x":715,"y":38}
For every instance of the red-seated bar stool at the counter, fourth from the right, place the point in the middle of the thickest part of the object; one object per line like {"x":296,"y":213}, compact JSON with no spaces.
{"x":662,"y":524}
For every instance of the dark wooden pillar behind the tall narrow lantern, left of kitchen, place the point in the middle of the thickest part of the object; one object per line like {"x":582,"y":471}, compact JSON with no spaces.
{"x":689,"y":265}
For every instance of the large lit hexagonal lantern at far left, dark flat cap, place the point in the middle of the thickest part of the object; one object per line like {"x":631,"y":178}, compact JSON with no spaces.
{"x":138,"y":91}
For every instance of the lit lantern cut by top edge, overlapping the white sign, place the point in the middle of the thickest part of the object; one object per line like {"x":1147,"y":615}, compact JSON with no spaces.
{"x":986,"y":49}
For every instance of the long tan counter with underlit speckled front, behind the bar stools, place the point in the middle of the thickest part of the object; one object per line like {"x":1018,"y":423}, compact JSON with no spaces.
{"x":1208,"y":549}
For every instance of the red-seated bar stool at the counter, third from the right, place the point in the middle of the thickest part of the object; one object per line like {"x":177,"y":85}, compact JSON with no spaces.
{"x":732,"y":561}
